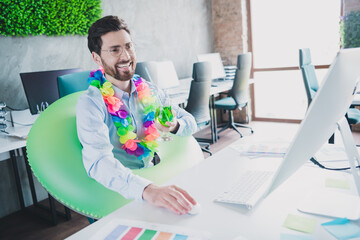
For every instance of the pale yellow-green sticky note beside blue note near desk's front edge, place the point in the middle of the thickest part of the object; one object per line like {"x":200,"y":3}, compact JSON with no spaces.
{"x":299,"y":223}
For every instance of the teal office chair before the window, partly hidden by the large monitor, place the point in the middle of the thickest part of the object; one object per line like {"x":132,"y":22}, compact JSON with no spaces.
{"x":312,"y":86}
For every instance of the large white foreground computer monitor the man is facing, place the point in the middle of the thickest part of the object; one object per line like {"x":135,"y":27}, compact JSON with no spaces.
{"x":326,"y":111}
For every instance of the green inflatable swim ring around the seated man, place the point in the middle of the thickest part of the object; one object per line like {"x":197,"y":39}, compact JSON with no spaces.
{"x":54,"y":154}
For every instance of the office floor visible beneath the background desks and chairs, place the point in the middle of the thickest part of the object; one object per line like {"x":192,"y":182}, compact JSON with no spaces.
{"x":27,"y":225}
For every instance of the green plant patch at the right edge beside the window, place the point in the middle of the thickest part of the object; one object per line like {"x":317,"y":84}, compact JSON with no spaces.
{"x":350,"y":30}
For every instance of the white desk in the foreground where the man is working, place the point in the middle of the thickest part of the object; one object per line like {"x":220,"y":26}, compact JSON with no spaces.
{"x":226,"y":221}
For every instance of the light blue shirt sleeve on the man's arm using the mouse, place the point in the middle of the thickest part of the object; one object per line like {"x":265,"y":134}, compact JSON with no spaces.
{"x":98,"y":158}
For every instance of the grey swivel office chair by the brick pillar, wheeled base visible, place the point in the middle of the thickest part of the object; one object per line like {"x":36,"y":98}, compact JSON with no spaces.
{"x":238,"y":95}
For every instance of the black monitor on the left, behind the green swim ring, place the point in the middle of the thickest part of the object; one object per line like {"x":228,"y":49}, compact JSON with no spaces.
{"x":41,"y":88}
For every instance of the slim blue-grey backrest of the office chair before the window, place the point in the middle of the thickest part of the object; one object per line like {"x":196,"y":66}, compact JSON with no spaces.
{"x":308,"y":73}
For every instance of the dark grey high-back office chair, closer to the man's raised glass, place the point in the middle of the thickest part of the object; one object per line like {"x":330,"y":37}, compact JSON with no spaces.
{"x":198,"y":101}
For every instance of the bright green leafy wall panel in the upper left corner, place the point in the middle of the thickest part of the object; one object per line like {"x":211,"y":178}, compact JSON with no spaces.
{"x":47,"y":17}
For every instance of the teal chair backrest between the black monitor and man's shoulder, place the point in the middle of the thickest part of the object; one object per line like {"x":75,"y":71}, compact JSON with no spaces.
{"x":73,"y":82}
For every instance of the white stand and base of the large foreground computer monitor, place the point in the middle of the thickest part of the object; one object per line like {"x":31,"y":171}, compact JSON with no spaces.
{"x":334,"y":203}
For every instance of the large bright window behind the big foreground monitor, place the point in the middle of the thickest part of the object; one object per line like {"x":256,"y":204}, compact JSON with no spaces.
{"x":279,"y":29}
